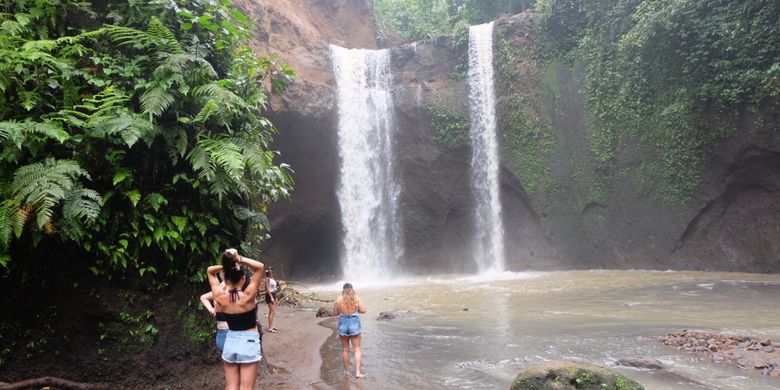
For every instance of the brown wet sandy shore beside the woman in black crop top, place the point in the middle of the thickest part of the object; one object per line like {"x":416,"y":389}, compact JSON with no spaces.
{"x":294,"y":351}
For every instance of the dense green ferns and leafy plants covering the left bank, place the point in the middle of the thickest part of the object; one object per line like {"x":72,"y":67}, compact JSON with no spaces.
{"x":132,"y":133}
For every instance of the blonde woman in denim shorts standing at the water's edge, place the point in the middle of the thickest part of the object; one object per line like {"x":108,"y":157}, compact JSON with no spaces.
{"x":347,"y":306}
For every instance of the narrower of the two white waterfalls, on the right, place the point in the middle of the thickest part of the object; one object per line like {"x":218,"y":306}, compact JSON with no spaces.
{"x":489,"y":231}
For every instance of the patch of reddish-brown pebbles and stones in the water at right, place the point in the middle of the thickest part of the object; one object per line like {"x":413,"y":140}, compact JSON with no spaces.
{"x":745,"y":352}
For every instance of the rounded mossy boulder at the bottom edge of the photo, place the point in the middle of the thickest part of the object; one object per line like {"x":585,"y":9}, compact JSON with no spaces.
{"x":565,"y":375}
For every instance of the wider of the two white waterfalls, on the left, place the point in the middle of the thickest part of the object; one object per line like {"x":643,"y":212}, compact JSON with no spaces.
{"x":368,"y":191}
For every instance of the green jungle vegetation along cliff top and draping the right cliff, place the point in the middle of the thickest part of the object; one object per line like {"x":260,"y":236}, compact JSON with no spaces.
{"x":669,"y":78}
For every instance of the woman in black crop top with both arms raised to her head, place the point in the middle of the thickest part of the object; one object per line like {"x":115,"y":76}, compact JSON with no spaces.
{"x":237,"y":306}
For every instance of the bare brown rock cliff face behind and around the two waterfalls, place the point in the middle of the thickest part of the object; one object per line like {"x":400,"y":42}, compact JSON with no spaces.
{"x":731,"y":225}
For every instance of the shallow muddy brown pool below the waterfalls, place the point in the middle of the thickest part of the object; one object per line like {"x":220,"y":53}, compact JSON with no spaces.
{"x":471,"y":333}
